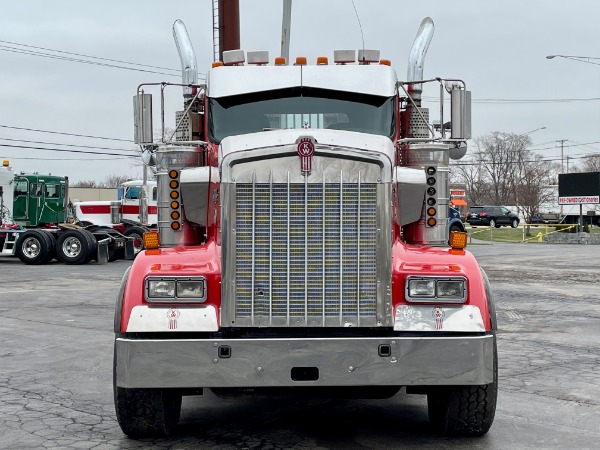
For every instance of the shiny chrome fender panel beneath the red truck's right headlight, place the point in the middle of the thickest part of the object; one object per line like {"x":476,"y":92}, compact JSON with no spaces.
{"x":465,"y":318}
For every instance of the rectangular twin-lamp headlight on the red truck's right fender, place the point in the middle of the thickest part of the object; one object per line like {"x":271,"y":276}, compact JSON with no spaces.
{"x":434,"y":289}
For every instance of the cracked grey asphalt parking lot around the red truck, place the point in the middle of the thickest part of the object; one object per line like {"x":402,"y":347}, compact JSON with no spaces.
{"x":56,"y":344}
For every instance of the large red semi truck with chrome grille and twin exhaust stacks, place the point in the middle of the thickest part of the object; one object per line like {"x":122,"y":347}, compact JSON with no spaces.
{"x":304,"y":245}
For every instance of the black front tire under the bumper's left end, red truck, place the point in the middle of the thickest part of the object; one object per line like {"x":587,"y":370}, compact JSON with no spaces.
{"x":146,"y":412}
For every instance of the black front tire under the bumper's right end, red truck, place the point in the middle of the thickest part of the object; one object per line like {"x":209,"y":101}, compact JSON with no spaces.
{"x":464,"y":410}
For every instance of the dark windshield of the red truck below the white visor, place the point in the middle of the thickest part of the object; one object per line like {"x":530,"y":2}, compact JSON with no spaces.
{"x":300,"y":108}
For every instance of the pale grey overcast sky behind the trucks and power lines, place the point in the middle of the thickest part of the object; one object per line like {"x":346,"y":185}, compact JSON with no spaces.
{"x":498,"y":48}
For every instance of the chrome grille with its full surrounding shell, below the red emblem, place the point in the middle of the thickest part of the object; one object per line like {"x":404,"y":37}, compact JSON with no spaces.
{"x":311,"y":250}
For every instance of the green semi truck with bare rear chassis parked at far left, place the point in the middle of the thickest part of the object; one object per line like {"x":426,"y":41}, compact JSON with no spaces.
{"x":35,"y":225}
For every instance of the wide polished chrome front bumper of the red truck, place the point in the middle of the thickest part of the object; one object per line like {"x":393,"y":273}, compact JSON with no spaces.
{"x":197,"y":363}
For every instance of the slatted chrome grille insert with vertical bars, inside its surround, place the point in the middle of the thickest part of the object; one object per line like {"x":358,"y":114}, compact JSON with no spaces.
{"x":305,"y":254}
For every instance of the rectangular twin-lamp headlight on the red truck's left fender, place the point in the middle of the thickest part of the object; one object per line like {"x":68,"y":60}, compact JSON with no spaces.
{"x":175,"y":289}
